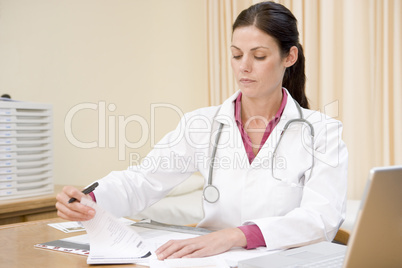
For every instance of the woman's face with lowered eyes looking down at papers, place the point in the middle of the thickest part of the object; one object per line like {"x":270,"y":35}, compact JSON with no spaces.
{"x":257,"y":63}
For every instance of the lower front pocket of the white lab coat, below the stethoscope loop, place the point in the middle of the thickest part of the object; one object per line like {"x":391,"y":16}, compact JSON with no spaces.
{"x":287,"y":197}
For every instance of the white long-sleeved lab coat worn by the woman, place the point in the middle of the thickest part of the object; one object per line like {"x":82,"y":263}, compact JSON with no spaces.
{"x":295,"y":211}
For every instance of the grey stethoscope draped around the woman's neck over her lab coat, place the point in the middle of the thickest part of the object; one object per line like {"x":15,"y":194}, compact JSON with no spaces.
{"x":211,"y":192}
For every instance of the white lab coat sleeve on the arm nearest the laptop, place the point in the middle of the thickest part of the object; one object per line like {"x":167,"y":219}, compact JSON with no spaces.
{"x":323,"y":204}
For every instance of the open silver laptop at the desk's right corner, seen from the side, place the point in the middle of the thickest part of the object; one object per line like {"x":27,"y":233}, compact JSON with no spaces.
{"x":376,"y":239}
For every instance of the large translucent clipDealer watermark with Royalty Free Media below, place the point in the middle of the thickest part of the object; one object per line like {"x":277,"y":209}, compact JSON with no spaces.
{"x":199,"y":132}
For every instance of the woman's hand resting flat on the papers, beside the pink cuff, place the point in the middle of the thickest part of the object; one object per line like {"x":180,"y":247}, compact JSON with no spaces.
{"x":203,"y":246}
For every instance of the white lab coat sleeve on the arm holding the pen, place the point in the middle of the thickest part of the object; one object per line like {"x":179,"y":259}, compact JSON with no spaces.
{"x":128,"y":192}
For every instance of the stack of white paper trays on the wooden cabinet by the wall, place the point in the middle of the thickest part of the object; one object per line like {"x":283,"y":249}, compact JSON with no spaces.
{"x":25,"y":149}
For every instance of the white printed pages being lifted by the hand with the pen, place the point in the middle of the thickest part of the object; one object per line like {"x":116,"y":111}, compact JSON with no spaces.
{"x":111,"y":241}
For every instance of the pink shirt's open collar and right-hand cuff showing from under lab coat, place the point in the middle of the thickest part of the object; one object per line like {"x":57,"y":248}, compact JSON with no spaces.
{"x":252,"y":232}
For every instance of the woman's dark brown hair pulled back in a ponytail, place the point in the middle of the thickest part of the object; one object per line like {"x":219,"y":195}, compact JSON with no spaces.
{"x":278,"y":22}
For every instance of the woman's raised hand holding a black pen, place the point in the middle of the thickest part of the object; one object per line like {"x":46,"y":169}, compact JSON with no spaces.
{"x":74,"y":211}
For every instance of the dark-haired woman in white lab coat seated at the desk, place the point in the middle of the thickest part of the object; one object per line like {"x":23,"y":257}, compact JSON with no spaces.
{"x":274,"y":190}
